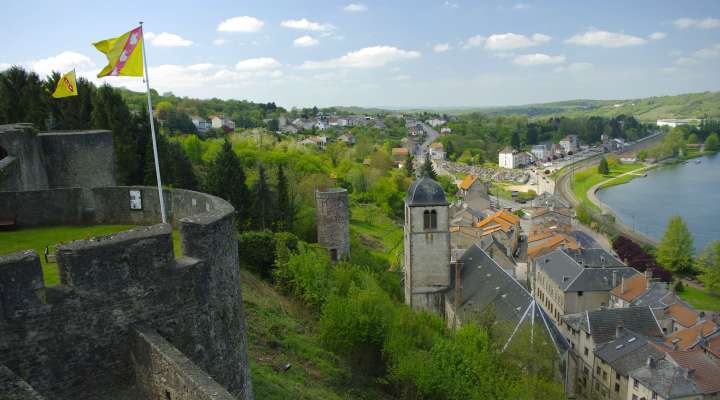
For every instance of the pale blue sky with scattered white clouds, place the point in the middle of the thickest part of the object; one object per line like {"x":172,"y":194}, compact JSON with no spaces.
{"x":423,"y":53}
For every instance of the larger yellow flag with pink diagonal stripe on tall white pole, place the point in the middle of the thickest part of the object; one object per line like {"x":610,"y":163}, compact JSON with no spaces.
{"x":124,"y":54}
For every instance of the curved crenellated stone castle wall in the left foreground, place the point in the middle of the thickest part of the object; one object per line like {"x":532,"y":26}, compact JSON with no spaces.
{"x":74,"y":340}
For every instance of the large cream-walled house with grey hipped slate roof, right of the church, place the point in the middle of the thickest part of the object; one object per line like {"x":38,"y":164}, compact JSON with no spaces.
{"x":564,"y":284}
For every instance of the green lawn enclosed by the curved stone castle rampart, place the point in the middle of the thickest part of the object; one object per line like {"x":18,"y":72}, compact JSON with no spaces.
{"x":37,"y":238}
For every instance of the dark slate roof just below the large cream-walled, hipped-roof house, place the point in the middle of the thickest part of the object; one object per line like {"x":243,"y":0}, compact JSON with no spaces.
{"x":601,"y":324}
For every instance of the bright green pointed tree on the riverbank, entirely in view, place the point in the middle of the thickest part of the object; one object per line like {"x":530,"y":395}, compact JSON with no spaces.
{"x":675,"y":251}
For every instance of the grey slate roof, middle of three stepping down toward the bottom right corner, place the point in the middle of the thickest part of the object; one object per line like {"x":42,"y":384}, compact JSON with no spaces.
{"x":628,"y":352}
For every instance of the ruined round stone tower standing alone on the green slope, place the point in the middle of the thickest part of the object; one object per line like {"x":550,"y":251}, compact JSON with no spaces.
{"x":333,"y":222}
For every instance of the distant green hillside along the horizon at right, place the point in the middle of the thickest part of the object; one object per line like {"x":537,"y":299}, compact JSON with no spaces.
{"x":706,"y":104}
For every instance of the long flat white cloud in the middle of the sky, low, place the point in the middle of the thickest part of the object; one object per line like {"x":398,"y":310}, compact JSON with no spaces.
{"x":368,"y":57}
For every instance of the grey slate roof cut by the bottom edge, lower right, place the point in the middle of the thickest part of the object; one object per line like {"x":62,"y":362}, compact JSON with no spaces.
{"x":667,"y":380}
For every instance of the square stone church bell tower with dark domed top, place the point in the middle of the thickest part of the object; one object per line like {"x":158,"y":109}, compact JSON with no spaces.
{"x":427,"y":246}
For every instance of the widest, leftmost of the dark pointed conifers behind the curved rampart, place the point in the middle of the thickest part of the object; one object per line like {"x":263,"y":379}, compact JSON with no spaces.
{"x":226,"y":179}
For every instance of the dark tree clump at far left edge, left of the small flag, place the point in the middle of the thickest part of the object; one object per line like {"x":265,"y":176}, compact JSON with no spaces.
{"x":23,"y":98}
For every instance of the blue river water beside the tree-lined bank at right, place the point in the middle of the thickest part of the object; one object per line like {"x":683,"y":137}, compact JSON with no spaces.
{"x":691,"y":190}
